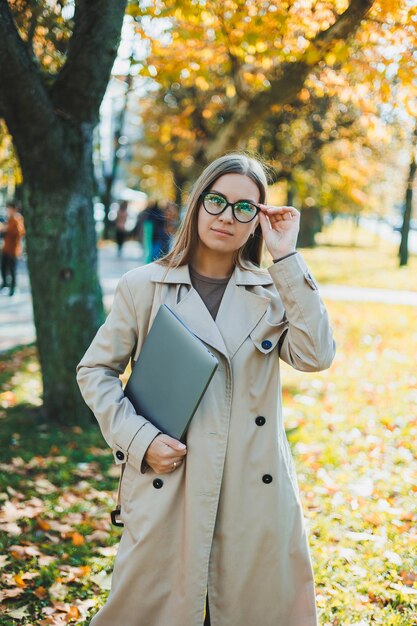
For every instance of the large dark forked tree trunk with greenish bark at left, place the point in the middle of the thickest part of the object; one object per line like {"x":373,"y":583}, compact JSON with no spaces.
{"x":52,"y":130}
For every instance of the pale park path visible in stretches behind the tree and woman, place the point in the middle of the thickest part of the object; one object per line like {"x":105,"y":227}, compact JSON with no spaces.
{"x":16,"y":316}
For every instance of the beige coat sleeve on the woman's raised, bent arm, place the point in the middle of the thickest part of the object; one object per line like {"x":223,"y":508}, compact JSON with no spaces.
{"x":307,"y":343}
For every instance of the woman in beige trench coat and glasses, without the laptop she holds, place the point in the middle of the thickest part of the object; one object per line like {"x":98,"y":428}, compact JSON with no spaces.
{"x":220,"y":519}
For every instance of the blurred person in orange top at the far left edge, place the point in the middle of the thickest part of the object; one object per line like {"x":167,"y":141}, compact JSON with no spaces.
{"x":12,"y":233}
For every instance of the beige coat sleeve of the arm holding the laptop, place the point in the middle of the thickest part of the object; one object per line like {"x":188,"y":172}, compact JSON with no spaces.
{"x":127,"y":433}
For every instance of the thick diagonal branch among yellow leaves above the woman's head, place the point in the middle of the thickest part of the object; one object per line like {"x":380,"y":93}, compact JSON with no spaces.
{"x":286,"y":86}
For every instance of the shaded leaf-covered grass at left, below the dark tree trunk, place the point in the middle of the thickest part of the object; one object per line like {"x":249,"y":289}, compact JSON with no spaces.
{"x":58,"y":486}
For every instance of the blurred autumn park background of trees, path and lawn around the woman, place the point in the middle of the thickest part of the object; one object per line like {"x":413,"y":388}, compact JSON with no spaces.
{"x":109,"y":110}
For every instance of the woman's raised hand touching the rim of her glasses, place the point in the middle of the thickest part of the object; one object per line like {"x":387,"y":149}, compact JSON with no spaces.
{"x":280,"y":226}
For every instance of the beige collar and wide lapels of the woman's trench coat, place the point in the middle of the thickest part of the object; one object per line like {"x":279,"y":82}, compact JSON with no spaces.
{"x":240,"y":310}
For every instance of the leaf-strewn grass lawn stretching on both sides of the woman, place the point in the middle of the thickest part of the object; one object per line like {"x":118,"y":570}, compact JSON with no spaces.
{"x":352,"y":430}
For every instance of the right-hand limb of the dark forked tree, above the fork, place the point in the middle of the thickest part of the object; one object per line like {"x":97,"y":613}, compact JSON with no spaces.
{"x":81,"y":83}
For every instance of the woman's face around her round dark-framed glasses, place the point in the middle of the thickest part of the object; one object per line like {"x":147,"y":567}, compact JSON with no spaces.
{"x":223,"y":233}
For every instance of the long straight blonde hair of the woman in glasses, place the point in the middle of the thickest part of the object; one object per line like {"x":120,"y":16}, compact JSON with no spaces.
{"x":187,"y":235}
